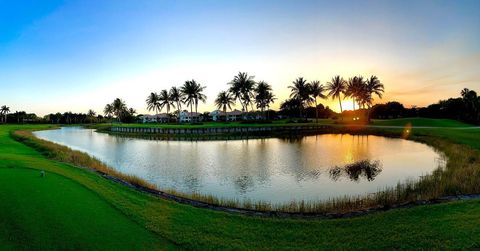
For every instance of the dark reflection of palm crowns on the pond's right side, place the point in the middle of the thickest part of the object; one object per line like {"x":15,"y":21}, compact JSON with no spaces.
{"x":364,"y":169}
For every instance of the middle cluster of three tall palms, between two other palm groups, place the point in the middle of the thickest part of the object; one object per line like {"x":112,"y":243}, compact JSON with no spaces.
{"x":248,"y":92}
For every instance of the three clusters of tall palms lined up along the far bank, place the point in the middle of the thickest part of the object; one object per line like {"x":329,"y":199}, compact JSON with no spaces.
{"x":250,"y":93}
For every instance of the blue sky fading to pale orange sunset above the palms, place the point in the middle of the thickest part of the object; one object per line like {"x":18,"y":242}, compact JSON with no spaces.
{"x":58,"y":56}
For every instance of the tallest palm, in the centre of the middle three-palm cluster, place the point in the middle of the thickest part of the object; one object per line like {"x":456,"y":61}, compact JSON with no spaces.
{"x":241,"y":87}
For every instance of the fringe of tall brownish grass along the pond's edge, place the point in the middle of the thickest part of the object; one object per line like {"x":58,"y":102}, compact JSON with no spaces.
{"x":459,"y":176}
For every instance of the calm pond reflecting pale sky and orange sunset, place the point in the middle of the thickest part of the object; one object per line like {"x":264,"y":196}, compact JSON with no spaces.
{"x":274,"y":170}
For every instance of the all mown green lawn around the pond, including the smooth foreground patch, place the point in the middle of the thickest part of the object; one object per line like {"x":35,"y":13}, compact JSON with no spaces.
{"x":69,"y":197}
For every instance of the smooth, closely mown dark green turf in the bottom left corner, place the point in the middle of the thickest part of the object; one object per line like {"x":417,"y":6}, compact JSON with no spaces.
{"x":57,"y":213}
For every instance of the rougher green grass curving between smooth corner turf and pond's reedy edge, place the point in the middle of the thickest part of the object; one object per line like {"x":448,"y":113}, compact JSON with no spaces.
{"x":444,"y":226}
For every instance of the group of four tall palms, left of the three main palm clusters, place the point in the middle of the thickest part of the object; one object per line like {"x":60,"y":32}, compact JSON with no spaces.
{"x":190,"y":94}
